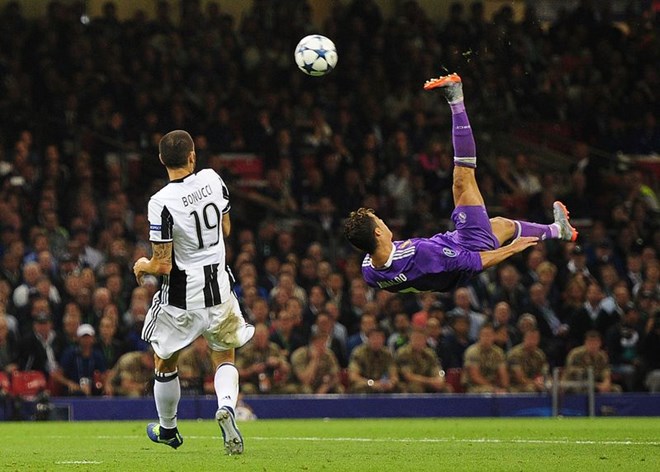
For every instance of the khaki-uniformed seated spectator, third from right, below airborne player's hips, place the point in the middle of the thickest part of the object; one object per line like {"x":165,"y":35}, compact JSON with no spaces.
{"x":484,"y":366}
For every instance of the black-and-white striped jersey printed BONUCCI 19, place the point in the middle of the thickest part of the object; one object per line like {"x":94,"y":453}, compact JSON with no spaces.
{"x":188,"y":212}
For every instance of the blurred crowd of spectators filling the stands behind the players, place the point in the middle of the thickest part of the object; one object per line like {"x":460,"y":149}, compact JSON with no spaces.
{"x":84,"y":102}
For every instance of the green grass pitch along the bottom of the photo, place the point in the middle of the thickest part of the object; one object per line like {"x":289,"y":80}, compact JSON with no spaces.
{"x":401,"y":445}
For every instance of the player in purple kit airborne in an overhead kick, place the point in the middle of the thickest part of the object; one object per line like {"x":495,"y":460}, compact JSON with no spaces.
{"x":446,"y":260}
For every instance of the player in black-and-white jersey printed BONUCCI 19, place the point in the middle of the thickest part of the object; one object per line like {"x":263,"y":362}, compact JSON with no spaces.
{"x":189,"y":219}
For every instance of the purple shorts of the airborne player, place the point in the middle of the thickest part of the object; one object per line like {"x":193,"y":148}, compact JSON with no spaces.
{"x":473,"y":229}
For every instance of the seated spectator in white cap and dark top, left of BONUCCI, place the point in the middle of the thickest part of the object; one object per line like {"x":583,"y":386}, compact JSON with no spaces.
{"x":83,"y":366}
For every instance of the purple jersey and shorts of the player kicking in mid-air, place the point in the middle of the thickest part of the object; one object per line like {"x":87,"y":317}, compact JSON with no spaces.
{"x":438,"y":263}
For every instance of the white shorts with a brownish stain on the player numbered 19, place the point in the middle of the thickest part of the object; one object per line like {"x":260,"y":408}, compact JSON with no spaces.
{"x":169,"y":329}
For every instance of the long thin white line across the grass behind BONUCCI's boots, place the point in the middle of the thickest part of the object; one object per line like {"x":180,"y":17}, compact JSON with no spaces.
{"x":604,"y":442}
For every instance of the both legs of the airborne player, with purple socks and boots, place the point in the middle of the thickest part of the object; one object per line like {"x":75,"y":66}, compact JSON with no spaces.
{"x":465,"y":189}
